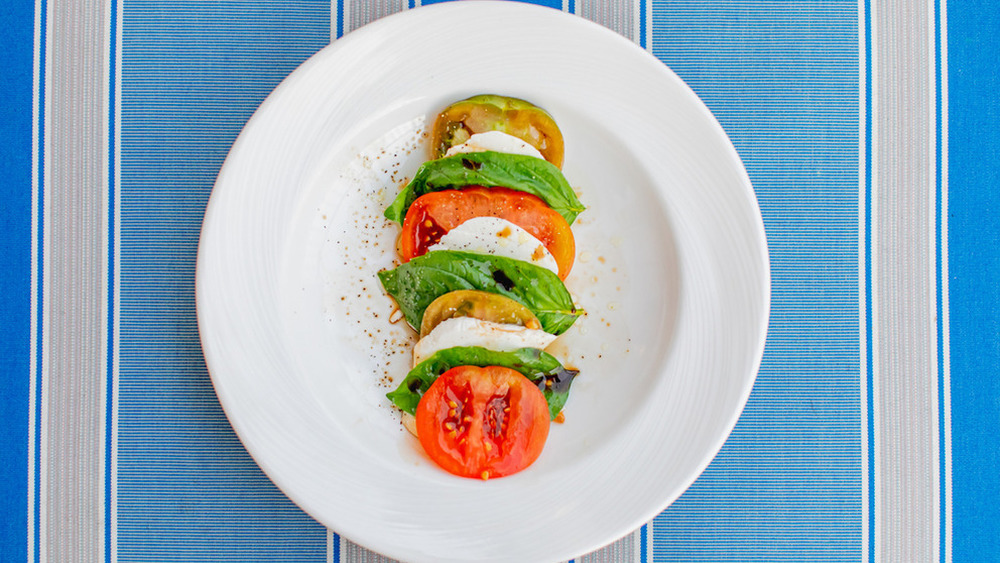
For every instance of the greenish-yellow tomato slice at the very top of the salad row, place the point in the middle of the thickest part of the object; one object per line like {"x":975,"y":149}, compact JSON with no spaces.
{"x":479,"y":114}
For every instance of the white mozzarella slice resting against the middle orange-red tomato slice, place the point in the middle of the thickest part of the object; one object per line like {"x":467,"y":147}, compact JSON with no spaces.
{"x":497,"y":237}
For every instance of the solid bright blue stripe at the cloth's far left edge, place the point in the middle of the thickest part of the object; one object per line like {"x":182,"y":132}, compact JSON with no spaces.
{"x":15,"y":277}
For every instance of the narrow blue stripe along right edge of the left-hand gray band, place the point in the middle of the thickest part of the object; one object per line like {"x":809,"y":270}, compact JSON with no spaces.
{"x":112,"y":275}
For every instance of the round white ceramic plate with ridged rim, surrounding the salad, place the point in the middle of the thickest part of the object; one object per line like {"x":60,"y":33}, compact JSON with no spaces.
{"x":671,"y":266}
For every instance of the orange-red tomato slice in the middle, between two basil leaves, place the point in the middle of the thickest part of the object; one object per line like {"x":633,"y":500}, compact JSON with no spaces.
{"x":434,"y":214}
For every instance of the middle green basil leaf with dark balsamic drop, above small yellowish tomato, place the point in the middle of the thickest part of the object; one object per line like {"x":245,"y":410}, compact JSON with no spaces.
{"x":415,"y":284}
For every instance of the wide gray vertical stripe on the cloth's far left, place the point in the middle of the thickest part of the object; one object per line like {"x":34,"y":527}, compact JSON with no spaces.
{"x":73,"y":379}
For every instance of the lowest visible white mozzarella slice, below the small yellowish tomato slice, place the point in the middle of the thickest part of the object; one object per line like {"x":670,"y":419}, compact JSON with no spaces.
{"x":468,"y":331}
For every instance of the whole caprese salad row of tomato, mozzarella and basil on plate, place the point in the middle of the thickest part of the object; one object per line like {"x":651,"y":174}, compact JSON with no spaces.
{"x":484,"y":248}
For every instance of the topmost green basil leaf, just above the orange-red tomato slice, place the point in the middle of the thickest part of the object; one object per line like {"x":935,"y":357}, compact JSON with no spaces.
{"x":514,"y":171}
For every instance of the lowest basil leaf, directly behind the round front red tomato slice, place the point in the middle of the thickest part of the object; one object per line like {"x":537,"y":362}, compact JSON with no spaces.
{"x":542,"y":369}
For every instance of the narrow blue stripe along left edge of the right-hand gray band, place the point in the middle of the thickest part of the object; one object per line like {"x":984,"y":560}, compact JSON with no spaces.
{"x":869,"y":358}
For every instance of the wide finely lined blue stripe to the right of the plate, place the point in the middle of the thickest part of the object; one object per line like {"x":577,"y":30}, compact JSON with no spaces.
{"x":783,"y":80}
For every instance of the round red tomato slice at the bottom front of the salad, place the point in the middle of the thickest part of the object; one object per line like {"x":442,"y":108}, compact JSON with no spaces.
{"x":483,"y":422}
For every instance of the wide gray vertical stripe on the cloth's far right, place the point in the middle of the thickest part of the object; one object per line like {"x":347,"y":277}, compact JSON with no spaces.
{"x":903,"y":250}
